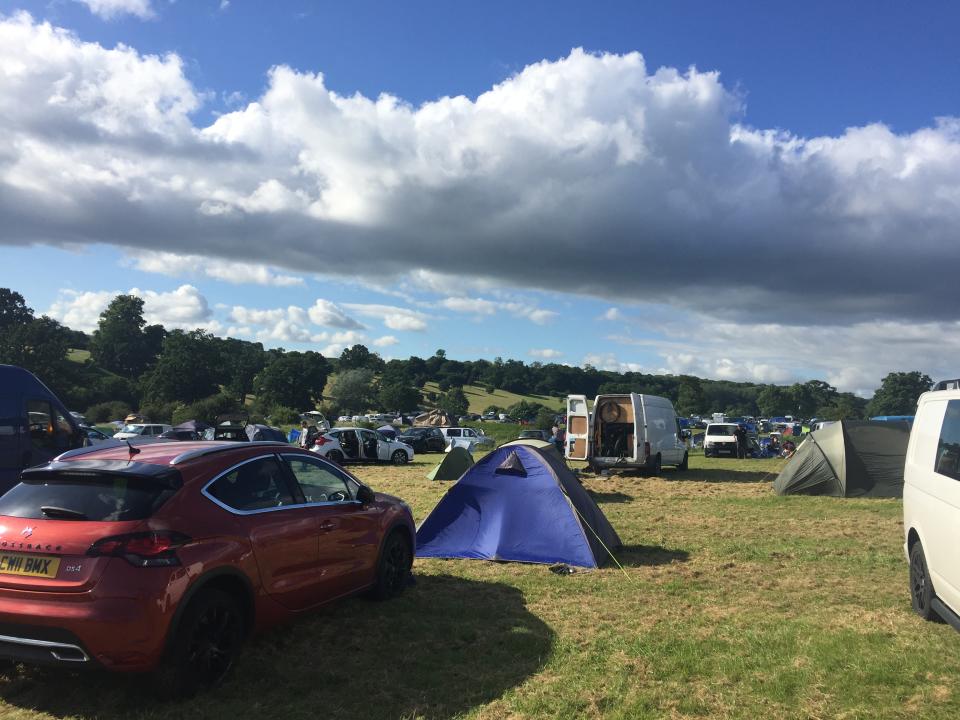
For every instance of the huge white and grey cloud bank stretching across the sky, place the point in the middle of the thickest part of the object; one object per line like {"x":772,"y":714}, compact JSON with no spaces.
{"x":562,"y":177}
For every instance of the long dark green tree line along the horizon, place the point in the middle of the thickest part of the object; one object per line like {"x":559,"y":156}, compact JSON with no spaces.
{"x":175,"y":375}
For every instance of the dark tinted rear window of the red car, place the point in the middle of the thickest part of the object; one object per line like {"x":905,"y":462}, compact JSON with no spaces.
{"x":90,"y":496}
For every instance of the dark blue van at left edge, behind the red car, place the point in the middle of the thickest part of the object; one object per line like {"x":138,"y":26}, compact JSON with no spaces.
{"x":34,"y":425}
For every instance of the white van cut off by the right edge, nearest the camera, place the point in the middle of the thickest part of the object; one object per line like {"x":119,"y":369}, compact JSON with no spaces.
{"x":931,"y":504}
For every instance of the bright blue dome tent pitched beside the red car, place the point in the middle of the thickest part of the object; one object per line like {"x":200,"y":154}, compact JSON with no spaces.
{"x":518,"y":503}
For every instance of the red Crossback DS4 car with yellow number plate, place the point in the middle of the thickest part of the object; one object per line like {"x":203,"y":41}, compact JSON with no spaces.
{"x":168,"y":559}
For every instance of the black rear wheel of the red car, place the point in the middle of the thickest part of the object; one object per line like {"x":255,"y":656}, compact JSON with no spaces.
{"x":205,"y":646}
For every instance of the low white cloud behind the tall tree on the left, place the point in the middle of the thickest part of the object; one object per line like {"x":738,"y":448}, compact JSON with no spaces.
{"x":184,"y":308}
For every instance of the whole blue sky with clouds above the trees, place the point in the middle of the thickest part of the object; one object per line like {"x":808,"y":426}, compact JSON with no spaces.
{"x":744,"y":191}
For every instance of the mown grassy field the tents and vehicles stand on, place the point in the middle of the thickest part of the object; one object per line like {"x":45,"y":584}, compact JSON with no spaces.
{"x":732,"y":603}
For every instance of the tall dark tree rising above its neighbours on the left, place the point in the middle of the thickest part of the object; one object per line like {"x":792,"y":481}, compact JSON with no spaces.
{"x":122,"y":343}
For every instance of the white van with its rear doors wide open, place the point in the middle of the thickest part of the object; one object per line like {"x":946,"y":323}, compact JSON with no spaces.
{"x":625,"y":431}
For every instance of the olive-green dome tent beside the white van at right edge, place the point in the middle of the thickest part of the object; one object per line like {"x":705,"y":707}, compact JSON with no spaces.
{"x":848,"y":459}
